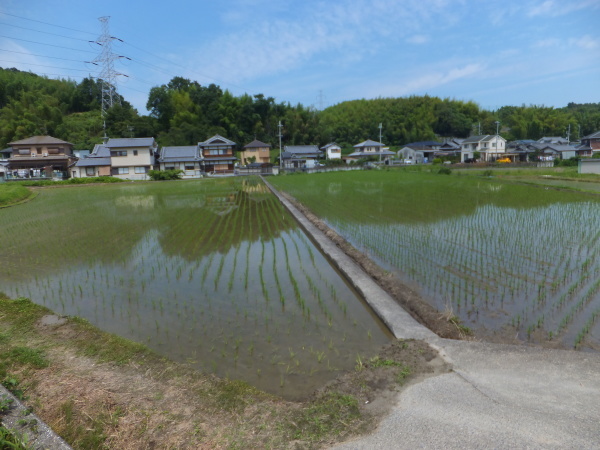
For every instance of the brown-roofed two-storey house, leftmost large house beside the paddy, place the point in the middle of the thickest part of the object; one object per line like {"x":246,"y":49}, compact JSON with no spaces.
{"x":40,"y":157}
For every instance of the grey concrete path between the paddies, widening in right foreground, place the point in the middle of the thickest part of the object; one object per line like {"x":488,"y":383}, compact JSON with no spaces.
{"x":497,"y":396}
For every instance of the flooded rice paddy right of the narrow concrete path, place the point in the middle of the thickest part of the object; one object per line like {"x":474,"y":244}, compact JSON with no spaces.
{"x":503,"y":257}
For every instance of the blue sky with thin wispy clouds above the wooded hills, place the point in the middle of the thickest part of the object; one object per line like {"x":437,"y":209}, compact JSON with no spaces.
{"x":319,"y":53}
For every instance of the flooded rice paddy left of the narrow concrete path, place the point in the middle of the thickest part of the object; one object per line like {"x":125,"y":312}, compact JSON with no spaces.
{"x":214,"y":273}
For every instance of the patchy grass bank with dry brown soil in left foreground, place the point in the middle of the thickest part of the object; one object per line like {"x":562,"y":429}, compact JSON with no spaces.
{"x":97,"y":390}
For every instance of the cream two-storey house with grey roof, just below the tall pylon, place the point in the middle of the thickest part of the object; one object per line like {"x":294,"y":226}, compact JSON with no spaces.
{"x":132,"y":158}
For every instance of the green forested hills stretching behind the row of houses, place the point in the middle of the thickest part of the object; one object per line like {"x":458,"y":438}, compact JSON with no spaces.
{"x":183,"y":112}
